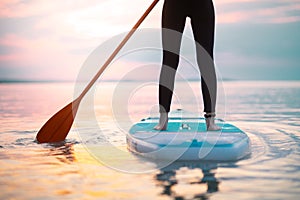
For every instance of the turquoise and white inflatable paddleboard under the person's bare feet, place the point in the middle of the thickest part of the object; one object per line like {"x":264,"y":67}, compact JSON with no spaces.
{"x":186,"y":138}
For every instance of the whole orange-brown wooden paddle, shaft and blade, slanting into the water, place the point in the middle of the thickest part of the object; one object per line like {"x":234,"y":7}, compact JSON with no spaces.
{"x":57,"y":127}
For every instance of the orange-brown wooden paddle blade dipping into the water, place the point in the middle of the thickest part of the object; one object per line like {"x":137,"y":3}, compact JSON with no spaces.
{"x":58,"y":126}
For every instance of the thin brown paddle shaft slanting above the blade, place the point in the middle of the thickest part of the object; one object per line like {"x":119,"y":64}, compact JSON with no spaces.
{"x":117,"y":50}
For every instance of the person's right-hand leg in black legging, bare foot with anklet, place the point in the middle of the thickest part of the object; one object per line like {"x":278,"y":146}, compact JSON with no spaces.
{"x":203,"y":25}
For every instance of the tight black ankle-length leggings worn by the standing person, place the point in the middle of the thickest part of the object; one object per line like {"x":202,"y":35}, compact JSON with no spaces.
{"x":201,"y":13}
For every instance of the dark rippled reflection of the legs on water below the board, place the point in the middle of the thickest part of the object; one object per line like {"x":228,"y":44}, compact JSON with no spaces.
{"x":184,"y":180}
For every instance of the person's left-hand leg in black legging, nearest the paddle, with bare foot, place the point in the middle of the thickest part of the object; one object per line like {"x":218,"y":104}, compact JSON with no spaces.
{"x":173,"y":21}
